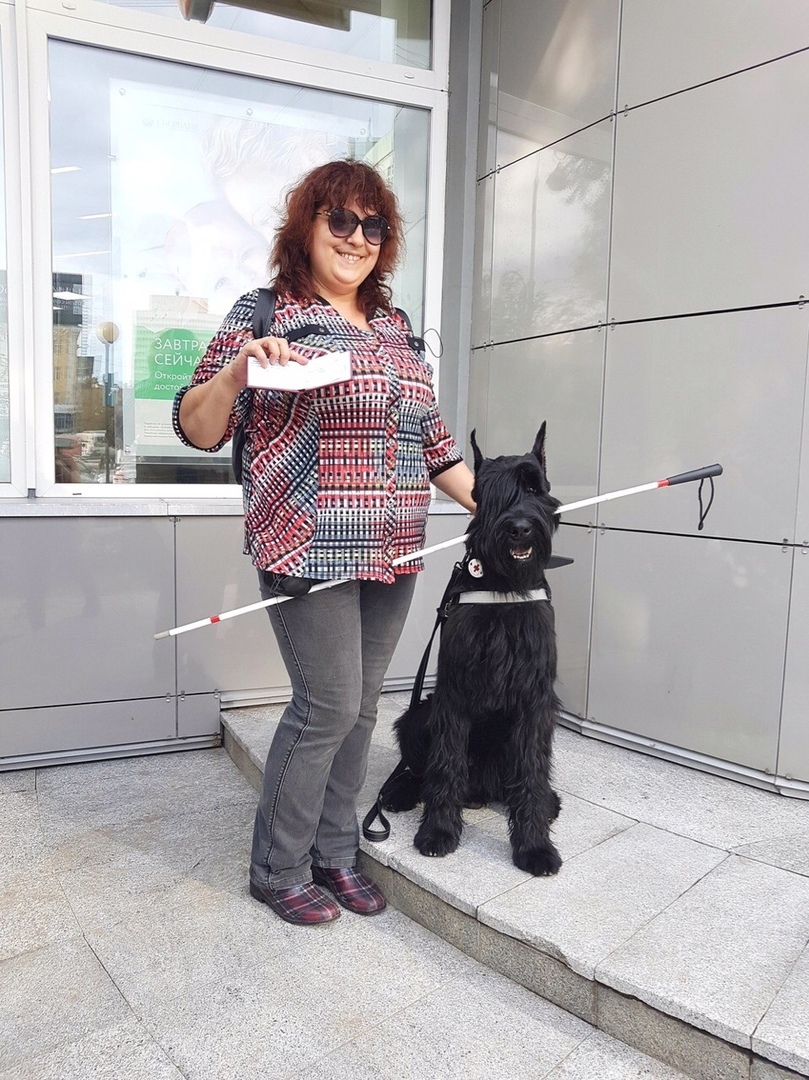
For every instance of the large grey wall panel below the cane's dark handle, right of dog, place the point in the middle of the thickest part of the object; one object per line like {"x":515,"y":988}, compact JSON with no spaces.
{"x":689,"y":643}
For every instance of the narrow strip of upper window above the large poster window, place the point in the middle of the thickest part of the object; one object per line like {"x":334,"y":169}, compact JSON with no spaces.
{"x":396,"y":32}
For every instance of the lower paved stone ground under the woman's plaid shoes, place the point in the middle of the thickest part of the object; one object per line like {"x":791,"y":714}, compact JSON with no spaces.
{"x":130,"y":950}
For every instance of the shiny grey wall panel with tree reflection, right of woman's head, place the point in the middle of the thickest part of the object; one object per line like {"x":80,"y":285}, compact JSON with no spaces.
{"x":551,"y":210}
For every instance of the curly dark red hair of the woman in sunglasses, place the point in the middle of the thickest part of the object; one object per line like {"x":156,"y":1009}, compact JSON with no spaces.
{"x":336,"y":184}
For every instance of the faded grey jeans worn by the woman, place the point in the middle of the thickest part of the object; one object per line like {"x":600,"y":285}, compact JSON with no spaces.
{"x":336,"y":645}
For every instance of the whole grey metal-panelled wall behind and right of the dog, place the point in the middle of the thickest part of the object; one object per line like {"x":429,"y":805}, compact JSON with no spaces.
{"x":690,"y":633}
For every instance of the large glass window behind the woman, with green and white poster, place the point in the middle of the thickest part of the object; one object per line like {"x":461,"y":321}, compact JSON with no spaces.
{"x":166,"y":195}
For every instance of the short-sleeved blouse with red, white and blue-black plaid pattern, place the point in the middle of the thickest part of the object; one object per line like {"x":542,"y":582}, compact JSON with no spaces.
{"x":336,"y":480}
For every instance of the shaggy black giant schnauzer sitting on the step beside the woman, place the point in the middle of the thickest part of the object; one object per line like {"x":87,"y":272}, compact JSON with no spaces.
{"x":487,"y":732}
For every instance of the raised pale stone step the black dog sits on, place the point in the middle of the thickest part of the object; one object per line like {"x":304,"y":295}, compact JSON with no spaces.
{"x":680,"y":921}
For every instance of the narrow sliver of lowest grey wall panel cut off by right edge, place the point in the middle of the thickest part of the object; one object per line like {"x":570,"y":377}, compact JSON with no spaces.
{"x":793,"y":754}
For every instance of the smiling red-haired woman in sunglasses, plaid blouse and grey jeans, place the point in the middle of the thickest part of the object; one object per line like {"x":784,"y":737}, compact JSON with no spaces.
{"x":336,"y":485}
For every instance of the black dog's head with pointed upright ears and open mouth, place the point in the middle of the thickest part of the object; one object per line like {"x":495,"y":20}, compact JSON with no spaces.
{"x":513,"y":531}
